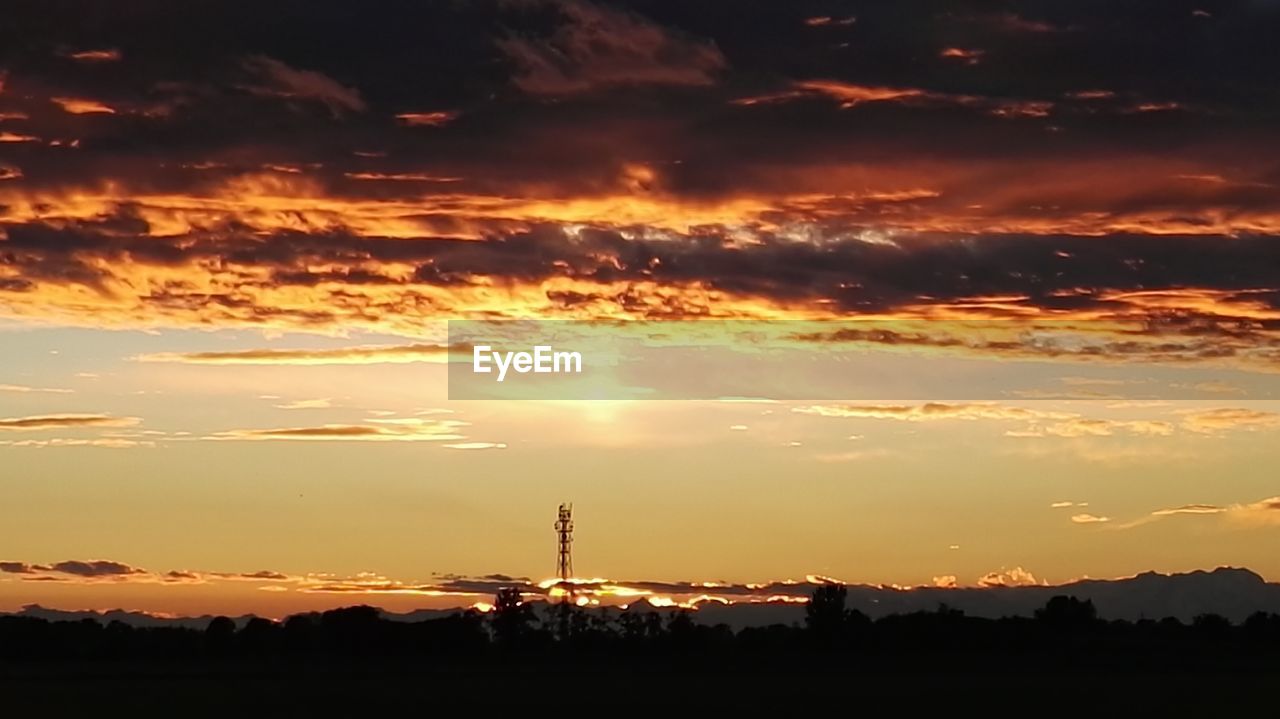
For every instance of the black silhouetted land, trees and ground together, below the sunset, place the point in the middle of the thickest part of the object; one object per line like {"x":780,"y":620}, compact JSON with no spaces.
{"x":833,"y":651}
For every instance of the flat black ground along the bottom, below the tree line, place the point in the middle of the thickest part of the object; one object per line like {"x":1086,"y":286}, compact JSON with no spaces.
{"x":803,"y":686}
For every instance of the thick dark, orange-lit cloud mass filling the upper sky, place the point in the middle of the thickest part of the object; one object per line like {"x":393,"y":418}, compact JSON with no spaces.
{"x":386,"y":163}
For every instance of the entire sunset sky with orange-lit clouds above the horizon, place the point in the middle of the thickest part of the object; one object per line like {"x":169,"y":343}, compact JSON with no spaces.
{"x":1036,"y":248}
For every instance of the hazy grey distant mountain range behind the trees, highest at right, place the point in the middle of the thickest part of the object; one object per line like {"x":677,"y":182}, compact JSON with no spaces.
{"x":1229,"y":592}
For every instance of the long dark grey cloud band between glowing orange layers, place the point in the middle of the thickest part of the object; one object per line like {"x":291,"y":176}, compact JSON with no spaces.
{"x":847,"y":268}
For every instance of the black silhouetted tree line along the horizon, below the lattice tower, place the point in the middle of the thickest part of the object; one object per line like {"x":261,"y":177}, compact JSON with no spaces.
{"x":1064,"y":628}
